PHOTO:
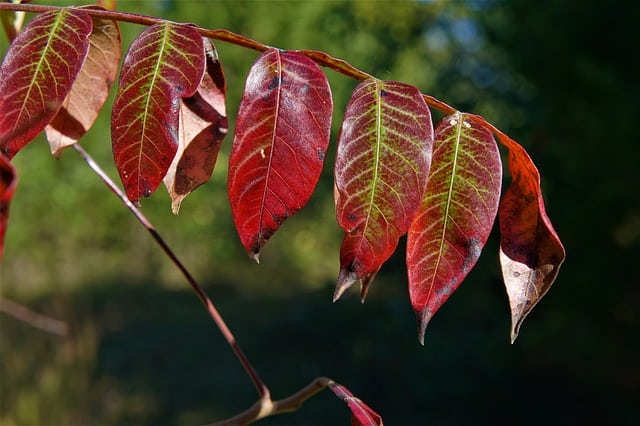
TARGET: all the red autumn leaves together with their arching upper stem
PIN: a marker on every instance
(397, 173)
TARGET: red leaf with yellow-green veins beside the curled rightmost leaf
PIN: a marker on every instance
(456, 216)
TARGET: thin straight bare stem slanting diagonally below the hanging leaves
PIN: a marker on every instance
(262, 389)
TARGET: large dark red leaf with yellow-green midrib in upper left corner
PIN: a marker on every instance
(37, 74)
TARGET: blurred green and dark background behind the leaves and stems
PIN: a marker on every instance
(560, 76)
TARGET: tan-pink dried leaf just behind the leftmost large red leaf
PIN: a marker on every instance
(90, 89)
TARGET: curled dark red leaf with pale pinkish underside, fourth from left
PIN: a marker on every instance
(203, 125)
